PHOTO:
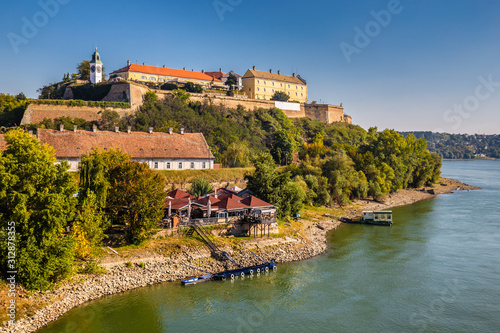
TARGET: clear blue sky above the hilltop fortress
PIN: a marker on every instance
(409, 65)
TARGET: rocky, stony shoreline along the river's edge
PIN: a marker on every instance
(310, 242)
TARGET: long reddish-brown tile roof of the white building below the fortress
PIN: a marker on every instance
(138, 144)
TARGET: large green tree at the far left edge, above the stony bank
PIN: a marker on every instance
(37, 194)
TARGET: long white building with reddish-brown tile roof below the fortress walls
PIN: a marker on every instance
(161, 151)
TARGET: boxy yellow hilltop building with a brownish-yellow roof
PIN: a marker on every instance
(263, 85)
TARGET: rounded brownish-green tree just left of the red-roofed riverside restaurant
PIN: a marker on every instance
(137, 197)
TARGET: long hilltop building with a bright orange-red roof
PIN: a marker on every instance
(143, 73)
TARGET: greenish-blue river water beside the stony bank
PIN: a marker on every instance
(437, 269)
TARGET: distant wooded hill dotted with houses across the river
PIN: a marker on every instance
(461, 146)
